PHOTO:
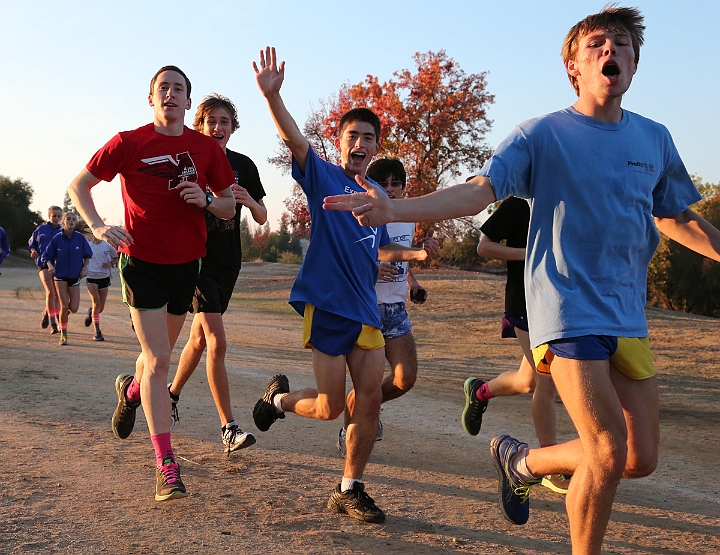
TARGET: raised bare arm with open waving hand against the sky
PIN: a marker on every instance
(269, 78)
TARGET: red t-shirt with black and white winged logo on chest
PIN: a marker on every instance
(165, 229)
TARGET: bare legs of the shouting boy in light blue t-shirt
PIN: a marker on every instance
(617, 421)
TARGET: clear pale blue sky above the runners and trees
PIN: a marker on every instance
(74, 73)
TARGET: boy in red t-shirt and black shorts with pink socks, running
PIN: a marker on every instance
(164, 169)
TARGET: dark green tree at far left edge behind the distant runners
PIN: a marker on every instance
(15, 215)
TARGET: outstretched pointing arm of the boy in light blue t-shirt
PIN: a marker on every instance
(375, 208)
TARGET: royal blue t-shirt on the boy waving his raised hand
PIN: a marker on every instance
(339, 272)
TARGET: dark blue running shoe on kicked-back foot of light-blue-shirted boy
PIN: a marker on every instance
(513, 492)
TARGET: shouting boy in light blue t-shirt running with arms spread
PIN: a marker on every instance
(602, 181)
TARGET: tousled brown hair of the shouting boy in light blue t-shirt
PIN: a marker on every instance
(610, 17)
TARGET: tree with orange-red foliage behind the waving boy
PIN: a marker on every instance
(434, 120)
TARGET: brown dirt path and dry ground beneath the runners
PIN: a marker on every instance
(68, 486)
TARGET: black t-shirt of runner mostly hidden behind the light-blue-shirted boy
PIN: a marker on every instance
(510, 222)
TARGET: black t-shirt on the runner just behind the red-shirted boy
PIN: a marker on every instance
(223, 242)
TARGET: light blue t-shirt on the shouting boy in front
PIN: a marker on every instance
(594, 188)
